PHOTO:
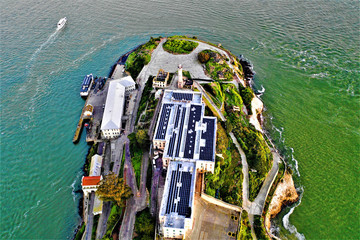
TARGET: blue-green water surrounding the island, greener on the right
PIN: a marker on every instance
(305, 53)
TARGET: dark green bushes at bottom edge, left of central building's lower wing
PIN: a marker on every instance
(144, 226)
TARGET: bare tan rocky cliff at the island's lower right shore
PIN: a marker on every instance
(285, 194)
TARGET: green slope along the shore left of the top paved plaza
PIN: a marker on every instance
(142, 56)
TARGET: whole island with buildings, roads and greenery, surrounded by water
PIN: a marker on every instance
(177, 148)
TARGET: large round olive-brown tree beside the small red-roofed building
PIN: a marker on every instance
(113, 188)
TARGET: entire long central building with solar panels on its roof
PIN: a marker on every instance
(187, 139)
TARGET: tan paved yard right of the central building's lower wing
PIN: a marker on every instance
(213, 222)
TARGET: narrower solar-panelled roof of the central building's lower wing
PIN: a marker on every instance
(178, 194)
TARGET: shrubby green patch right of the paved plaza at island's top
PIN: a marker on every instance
(216, 65)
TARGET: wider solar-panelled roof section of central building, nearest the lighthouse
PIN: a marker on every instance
(189, 135)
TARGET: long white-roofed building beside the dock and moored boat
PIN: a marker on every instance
(113, 112)
